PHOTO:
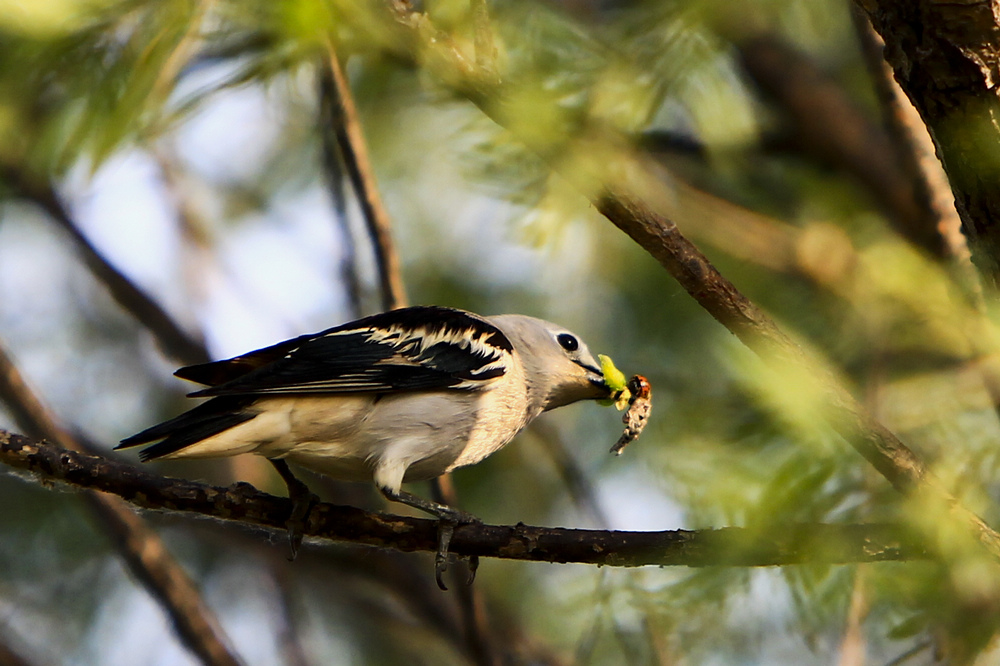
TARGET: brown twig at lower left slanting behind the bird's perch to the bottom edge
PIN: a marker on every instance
(140, 547)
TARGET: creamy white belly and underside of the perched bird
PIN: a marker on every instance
(389, 438)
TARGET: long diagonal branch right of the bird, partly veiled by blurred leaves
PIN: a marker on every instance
(624, 189)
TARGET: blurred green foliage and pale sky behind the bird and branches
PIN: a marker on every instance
(183, 139)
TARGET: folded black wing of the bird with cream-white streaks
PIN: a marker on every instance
(410, 349)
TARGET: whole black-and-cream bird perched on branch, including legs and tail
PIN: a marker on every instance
(400, 396)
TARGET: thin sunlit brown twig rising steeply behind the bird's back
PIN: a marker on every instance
(343, 118)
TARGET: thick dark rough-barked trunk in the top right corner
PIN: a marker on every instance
(945, 57)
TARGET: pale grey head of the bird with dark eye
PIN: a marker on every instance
(559, 369)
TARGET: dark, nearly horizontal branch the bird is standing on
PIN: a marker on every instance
(243, 504)
